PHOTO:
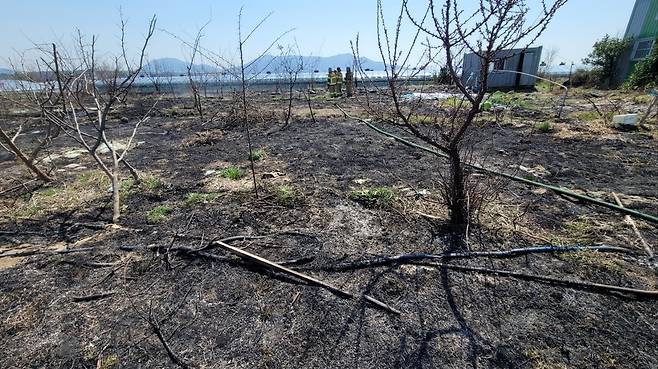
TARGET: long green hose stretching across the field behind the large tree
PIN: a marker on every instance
(648, 217)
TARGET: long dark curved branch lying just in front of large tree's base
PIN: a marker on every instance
(407, 258)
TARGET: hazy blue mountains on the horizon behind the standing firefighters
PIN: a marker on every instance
(267, 63)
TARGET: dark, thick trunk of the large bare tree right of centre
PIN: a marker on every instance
(457, 201)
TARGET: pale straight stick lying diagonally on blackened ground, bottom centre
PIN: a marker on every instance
(313, 281)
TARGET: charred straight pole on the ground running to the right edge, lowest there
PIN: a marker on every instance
(581, 285)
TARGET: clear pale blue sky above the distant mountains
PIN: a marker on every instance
(321, 27)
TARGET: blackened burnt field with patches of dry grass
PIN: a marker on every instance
(157, 290)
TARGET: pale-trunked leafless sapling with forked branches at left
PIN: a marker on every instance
(103, 88)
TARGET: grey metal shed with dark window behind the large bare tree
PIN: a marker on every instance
(514, 69)
